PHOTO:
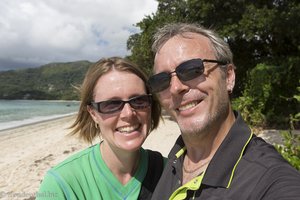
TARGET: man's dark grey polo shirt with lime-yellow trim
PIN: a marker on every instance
(243, 167)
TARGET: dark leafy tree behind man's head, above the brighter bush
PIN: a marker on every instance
(257, 31)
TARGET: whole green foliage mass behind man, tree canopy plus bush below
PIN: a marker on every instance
(258, 32)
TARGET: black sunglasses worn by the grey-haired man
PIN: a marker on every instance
(186, 71)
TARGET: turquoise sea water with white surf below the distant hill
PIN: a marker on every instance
(14, 113)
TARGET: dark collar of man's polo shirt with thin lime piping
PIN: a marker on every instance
(222, 166)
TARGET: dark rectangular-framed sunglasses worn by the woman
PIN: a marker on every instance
(114, 106)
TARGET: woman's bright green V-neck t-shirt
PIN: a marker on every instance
(86, 176)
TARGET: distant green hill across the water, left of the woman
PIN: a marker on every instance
(51, 81)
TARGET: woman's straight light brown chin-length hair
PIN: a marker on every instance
(84, 125)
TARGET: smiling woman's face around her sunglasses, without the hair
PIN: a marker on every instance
(127, 129)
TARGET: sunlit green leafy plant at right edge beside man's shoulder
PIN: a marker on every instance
(291, 147)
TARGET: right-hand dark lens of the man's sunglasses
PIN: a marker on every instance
(190, 70)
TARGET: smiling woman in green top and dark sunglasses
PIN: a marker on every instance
(115, 105)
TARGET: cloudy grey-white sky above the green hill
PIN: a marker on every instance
(37, 32)
